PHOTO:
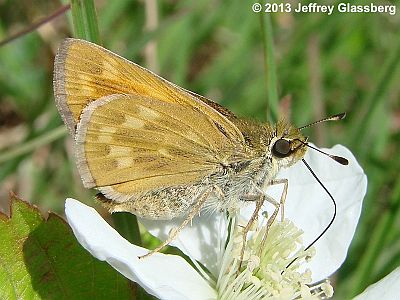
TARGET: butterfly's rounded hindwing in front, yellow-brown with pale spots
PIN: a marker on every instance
(134, 144)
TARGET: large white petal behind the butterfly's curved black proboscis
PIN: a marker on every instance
(311, 209)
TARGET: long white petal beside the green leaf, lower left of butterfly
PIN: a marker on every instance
(164, 276)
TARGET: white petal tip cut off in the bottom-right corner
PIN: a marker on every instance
(387, 288)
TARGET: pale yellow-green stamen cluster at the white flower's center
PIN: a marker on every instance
(273, 271)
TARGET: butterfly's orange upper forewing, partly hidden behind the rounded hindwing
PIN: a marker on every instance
(85, 72)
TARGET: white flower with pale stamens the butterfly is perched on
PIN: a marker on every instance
(307, 206)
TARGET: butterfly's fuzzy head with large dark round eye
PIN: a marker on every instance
(288, 144)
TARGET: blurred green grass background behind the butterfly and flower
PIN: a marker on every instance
(324, 65)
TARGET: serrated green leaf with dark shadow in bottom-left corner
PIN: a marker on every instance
(41, 259)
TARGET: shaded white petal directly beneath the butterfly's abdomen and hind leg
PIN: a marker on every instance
(200, 240)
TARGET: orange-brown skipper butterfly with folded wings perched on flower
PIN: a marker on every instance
(159, 151)
